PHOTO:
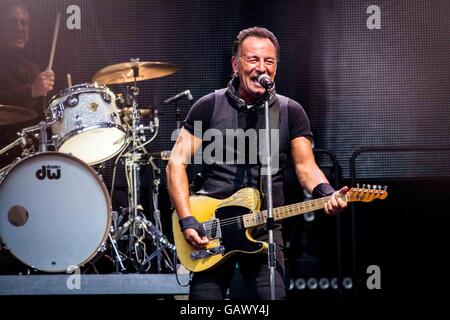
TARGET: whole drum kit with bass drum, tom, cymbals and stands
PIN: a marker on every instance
(55, 210)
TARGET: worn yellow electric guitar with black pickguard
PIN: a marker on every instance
(228, 223)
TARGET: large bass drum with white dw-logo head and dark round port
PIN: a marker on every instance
(55, 212)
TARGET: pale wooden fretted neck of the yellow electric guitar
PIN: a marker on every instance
(280, 213)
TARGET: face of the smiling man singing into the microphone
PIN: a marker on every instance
(257, 56)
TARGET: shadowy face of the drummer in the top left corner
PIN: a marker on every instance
(15, 33)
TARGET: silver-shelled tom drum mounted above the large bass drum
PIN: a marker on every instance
(86, 123)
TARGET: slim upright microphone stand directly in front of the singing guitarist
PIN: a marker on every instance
(270, 219)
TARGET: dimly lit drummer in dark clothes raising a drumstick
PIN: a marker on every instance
(21, 82)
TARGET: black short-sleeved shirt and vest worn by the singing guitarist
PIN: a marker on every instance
(220, 123)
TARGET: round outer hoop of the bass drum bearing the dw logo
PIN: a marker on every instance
(105, 194)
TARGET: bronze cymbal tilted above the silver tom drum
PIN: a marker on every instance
(123, 72)
